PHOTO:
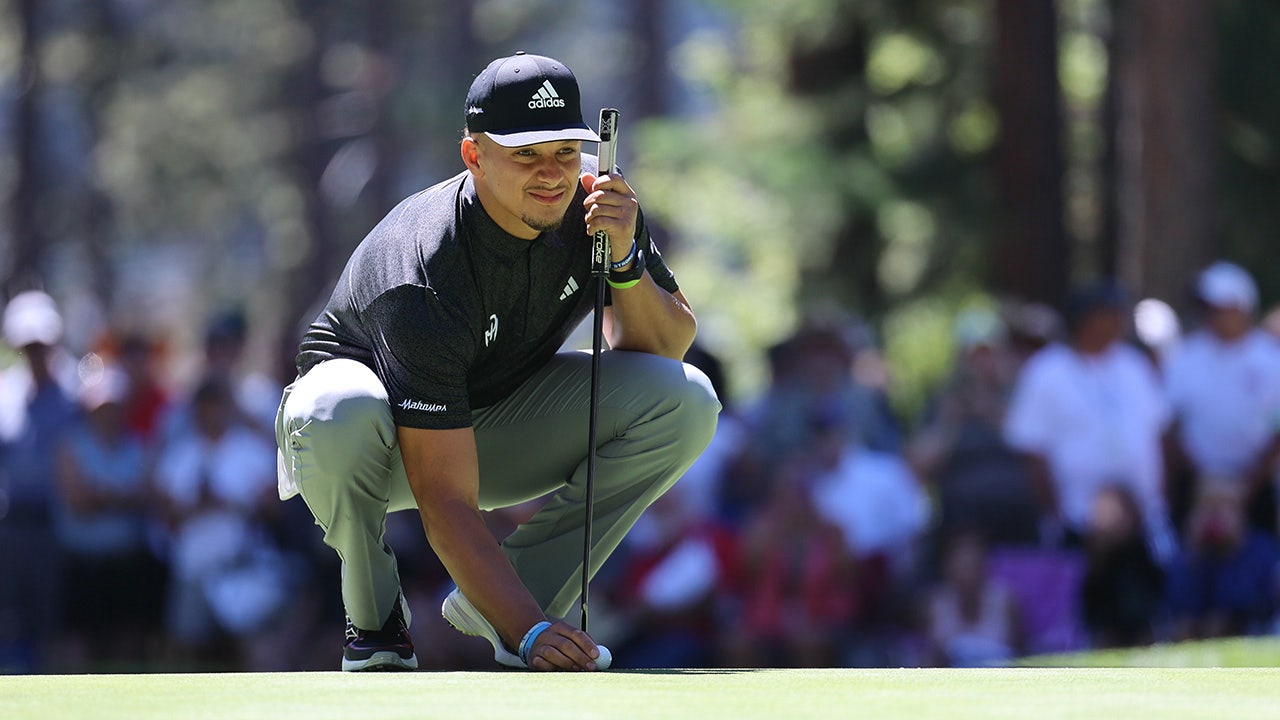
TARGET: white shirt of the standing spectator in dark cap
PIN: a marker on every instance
(1096, 421)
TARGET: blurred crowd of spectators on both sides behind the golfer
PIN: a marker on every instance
(1090, 477)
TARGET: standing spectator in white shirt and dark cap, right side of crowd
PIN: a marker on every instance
(1089, 414)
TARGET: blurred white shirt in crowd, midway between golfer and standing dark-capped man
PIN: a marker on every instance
(875, 499)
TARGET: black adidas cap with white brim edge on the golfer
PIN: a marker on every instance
(525, 99)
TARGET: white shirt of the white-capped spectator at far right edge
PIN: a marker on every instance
(1227, 397)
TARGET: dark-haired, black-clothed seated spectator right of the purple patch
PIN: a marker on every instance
(1122, 598)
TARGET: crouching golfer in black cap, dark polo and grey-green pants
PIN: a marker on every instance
(435, 380)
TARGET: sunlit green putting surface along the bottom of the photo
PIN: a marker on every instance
(1098, 687)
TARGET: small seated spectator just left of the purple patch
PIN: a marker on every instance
(972, 619)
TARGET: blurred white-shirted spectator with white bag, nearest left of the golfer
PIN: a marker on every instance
(228, 578)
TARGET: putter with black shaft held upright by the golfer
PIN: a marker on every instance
(601, 272)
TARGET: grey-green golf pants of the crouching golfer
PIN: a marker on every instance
(339, 448)
